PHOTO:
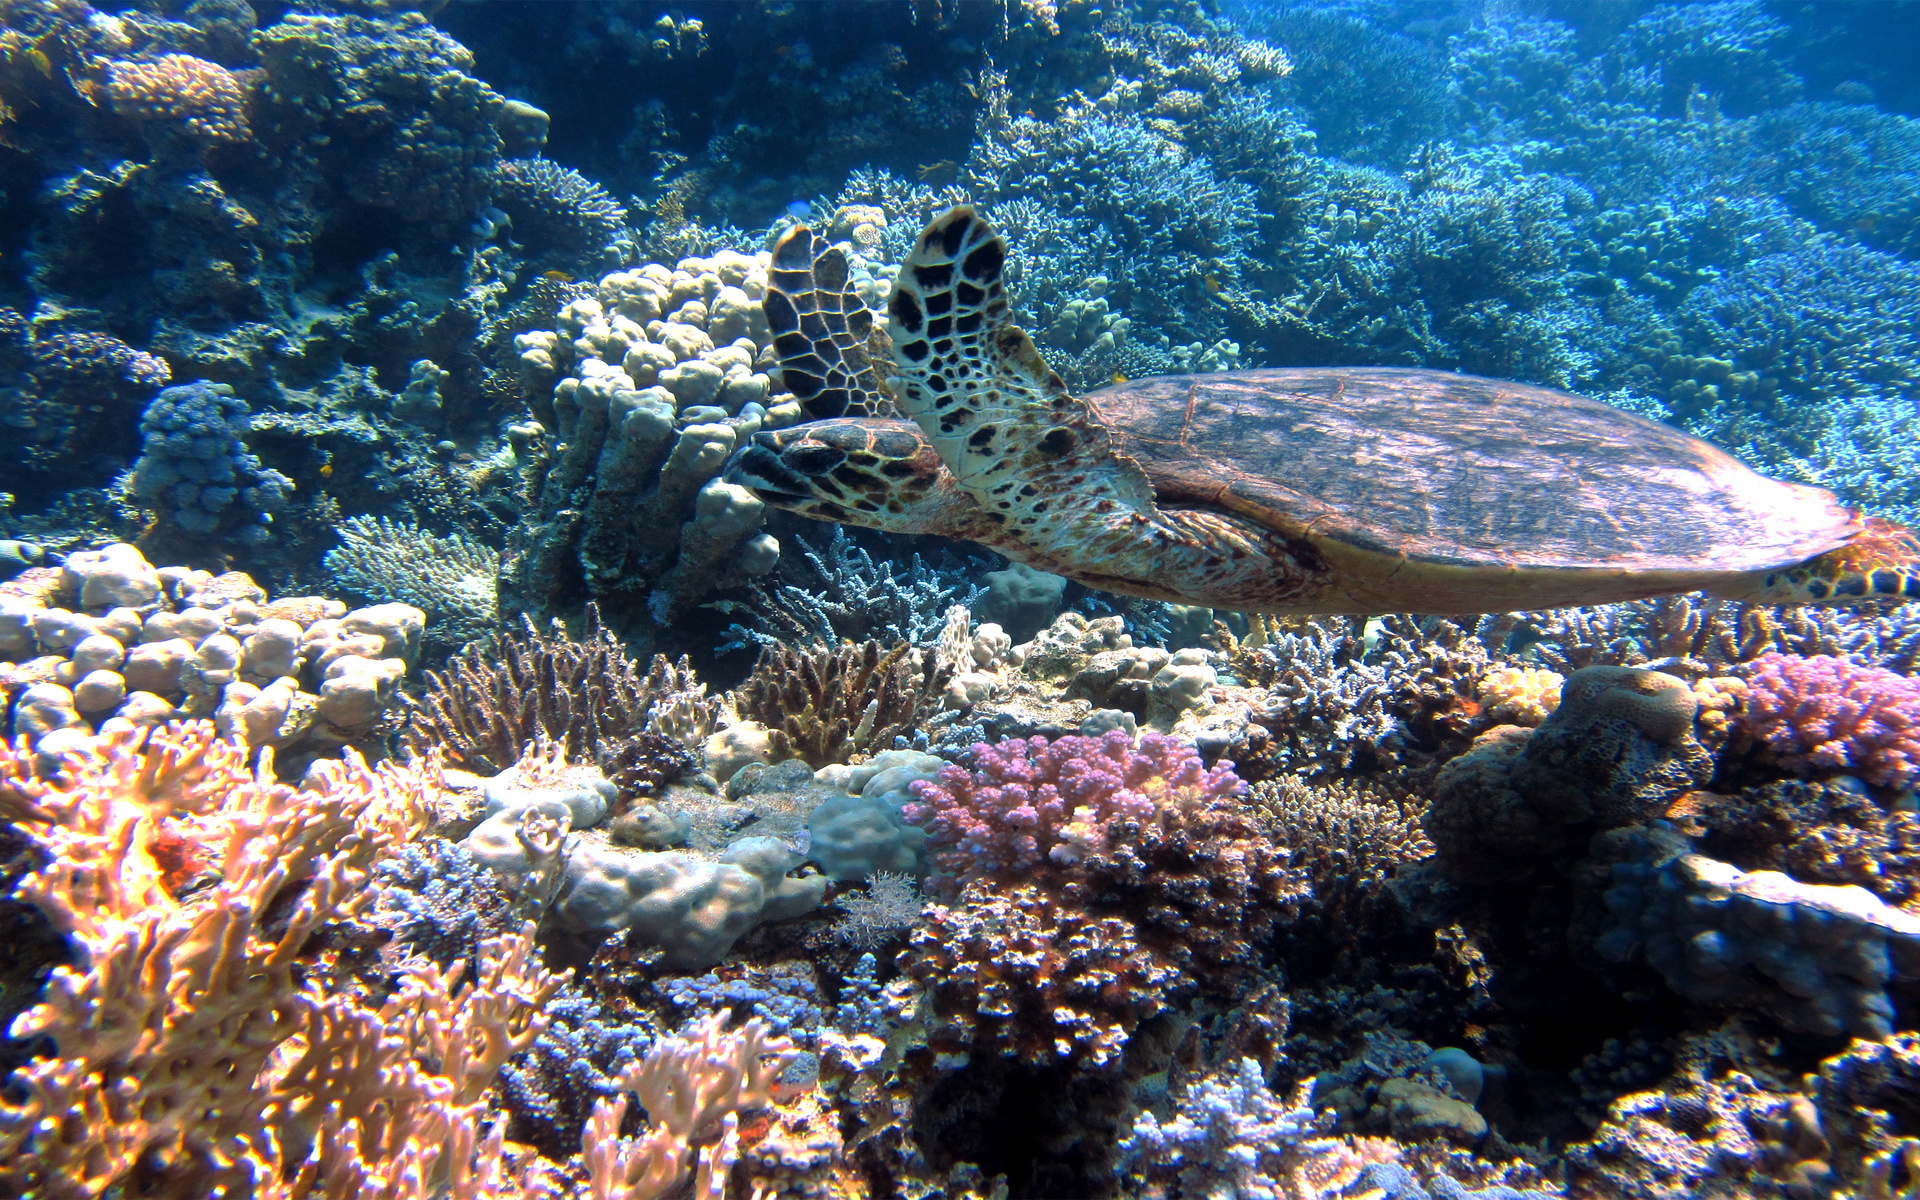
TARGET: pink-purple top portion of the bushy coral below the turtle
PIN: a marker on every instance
(1030, 802)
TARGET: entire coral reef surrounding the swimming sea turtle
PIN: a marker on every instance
(379, 821)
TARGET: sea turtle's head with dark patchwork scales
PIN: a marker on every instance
(880, 475)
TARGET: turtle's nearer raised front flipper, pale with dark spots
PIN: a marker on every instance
(1038, 460)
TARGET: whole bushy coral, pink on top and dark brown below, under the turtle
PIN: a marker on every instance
(1093, 878)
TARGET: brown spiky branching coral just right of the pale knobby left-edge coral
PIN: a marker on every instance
(588, 696)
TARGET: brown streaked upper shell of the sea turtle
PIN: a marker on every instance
(1462, 471)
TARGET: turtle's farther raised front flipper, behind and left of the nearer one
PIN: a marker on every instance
(823, 331)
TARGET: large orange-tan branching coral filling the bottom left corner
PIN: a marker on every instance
(114, 836)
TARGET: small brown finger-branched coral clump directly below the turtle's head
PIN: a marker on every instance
(827, 706)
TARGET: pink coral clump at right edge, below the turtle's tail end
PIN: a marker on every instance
(1827, 713)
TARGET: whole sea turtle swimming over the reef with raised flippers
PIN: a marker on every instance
(1303, 491)
